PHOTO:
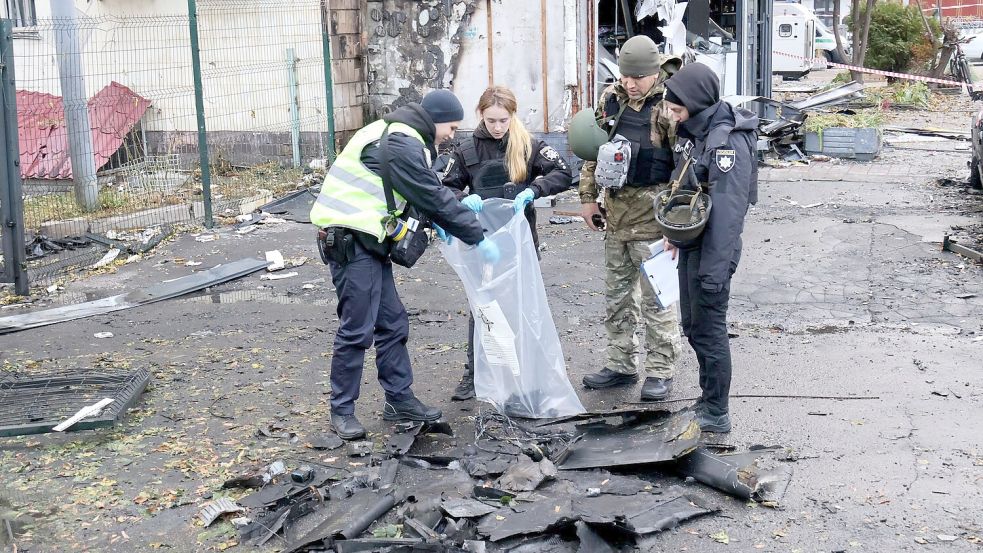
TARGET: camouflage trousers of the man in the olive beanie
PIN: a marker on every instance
(630, 300)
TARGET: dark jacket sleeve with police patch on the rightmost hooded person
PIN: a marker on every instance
(730, 192)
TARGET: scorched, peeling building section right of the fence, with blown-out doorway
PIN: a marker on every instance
(557, 56)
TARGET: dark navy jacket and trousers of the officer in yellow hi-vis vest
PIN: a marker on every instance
(369, 308)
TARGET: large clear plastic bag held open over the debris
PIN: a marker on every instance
(519, 364)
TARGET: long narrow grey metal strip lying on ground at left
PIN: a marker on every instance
(158, 292)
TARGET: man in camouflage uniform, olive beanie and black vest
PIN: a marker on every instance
(634, 109)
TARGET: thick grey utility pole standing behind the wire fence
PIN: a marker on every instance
(71, 74)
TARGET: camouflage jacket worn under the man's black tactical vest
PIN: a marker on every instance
(629, 211)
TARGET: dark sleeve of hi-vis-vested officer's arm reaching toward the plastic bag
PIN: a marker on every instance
(413, 179)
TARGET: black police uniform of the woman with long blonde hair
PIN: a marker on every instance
(478, 167)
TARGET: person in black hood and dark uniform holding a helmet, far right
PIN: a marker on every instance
(722, 143)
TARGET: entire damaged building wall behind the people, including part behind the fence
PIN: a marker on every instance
(556, 55)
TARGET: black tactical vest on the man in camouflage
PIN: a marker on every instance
(649, 166)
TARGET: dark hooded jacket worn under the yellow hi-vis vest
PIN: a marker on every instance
(412, 178)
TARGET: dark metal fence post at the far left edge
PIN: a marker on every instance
(11, 199)
